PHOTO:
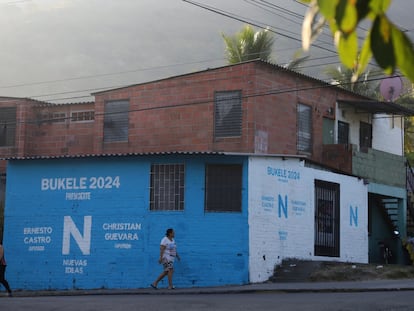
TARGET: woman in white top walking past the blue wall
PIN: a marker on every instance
(168, 253)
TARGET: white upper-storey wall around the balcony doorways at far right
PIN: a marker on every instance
(387, 130)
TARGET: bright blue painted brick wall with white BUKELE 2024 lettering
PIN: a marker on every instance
(96, 229)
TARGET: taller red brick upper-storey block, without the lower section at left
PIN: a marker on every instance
(178, 113)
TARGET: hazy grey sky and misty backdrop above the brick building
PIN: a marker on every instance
(66, 49)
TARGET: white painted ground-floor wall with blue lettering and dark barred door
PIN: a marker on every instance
(273, 236)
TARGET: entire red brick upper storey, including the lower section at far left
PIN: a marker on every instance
(177, 114)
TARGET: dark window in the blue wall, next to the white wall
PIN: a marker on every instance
(223, 188)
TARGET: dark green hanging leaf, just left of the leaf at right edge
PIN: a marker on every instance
(382, 45)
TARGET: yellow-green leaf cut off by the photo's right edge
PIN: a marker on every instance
(404, 52)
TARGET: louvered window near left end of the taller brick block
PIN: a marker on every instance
(116, 121)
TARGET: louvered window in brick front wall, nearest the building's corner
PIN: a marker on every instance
(227, 114)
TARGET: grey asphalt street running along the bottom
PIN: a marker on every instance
(382, 301)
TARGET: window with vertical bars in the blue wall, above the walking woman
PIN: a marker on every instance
(167, 187)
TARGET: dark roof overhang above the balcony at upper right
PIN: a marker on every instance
(376, 107)
